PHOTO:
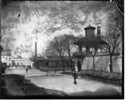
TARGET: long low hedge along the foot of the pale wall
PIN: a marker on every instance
(114, 78)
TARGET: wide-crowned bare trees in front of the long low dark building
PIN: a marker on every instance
(63, 46)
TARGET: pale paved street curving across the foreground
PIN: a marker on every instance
(61, 82)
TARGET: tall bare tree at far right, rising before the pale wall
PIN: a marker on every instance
(113, 38)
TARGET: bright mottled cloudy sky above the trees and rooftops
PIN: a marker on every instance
(41, 16)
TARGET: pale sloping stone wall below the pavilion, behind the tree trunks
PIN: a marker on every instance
(102, 63)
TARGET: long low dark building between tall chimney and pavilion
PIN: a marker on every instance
(52, 62)
